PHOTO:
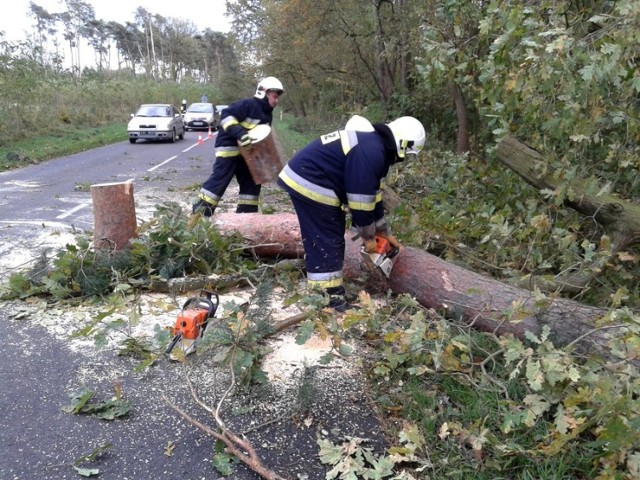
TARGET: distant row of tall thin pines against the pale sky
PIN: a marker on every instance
(161, 47)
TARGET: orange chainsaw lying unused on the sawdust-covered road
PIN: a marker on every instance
(191, 324)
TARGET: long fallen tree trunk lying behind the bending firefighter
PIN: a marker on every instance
(483, 302)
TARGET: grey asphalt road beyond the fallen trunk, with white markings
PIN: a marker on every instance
(56, 193)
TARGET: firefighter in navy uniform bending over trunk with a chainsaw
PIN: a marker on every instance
(345, 168)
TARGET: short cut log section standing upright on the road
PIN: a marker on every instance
(114, 214)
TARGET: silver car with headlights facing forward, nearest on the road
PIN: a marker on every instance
(156, 121)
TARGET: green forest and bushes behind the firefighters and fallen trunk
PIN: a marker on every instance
(559, 76)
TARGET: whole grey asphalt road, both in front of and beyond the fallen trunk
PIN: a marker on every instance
(41, 365)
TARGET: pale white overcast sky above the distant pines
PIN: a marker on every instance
(15, 20)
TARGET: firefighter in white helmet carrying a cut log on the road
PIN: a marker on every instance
(235, 122)
